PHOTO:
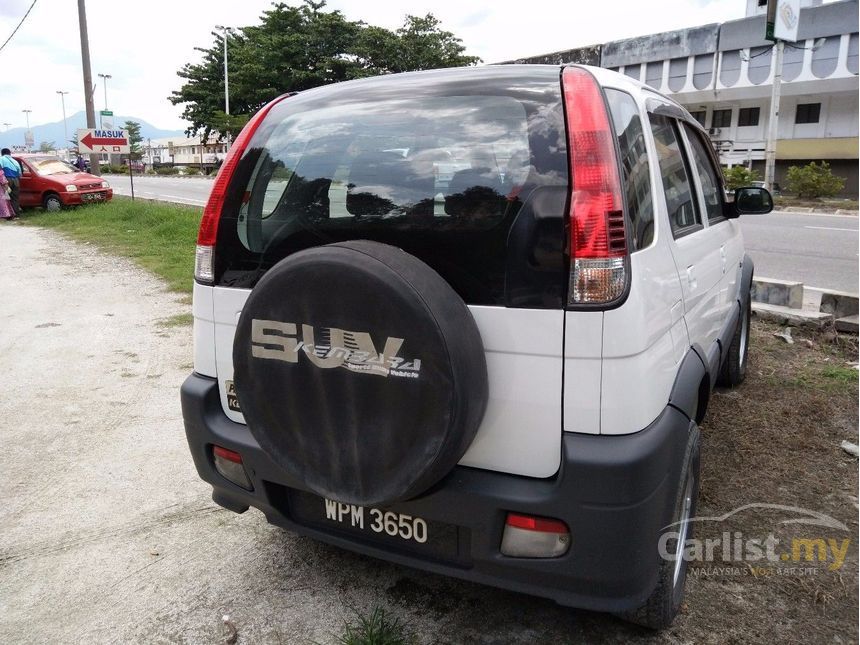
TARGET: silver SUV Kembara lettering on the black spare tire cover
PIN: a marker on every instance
(353, 350)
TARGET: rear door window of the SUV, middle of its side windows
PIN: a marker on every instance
(683, 209)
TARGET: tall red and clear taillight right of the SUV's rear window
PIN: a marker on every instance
(598, 239)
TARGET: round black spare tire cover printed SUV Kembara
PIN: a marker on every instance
(360, 372)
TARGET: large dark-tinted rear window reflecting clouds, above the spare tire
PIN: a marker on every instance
(440, 164)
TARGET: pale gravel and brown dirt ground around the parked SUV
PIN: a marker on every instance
(107, 534)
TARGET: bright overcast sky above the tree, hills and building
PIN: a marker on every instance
(143, 44)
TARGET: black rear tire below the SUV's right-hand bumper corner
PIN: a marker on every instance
(661, 607)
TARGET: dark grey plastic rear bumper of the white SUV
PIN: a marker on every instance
(615, 493)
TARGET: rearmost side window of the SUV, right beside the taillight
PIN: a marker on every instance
(635, 169)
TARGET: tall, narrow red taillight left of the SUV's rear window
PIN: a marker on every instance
(208, 233)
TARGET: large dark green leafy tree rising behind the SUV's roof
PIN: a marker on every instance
(298, 48)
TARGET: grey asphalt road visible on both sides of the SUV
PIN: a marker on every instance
(818, 250)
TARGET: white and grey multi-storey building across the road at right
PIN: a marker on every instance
(723, 74)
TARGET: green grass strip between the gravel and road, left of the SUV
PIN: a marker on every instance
(159, 237)
